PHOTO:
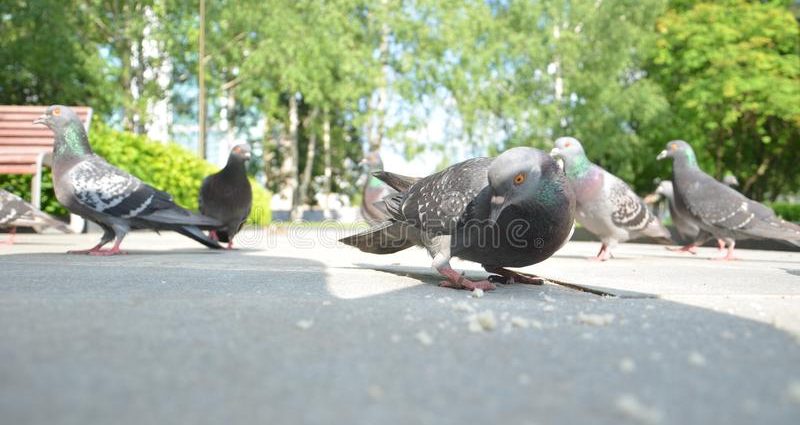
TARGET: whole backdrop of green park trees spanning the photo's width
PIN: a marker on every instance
(623, 76)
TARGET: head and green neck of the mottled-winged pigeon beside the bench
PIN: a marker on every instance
(71, 139)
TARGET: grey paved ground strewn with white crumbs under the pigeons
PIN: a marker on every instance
(294, 328)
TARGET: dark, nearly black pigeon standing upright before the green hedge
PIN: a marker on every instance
(227, 195)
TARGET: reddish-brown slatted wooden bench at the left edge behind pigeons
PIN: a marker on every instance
(26, 148)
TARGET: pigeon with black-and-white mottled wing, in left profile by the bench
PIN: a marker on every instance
(92, 188)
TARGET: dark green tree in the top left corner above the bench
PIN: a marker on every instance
(29, 40)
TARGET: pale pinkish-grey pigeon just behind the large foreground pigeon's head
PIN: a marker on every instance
(606, 206)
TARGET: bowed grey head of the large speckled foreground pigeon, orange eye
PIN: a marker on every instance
(518, 177)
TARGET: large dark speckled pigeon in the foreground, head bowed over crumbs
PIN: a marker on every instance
(510, 211)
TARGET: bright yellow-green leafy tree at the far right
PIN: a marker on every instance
(731, 72)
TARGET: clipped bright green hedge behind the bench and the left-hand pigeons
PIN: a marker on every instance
(167, 167)
